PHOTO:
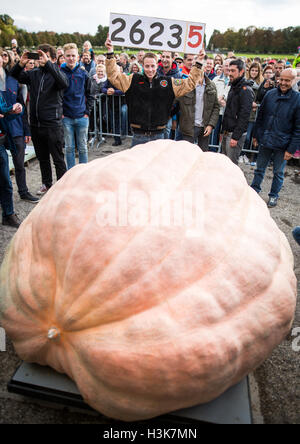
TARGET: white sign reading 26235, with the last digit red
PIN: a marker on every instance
(156, 34)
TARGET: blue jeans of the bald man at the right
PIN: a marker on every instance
(263, 159)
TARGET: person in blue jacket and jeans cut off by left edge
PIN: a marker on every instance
(7, 112)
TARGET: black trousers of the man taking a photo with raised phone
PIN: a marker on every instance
(49, 141)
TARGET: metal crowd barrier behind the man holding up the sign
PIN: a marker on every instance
(110, 118)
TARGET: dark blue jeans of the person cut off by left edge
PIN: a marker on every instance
(6, 189)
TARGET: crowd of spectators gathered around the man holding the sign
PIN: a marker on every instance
(51, 100)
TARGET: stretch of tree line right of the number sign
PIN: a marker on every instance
(257, 40)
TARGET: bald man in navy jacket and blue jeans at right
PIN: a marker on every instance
(277, 132)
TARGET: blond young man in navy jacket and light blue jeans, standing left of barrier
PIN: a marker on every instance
(77, 104)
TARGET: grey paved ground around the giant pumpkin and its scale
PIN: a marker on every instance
(274, 386)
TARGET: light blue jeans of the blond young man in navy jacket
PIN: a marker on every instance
(78, 127)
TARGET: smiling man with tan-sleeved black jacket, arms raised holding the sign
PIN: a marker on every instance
(149, 96)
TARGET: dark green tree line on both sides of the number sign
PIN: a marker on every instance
(251, 39)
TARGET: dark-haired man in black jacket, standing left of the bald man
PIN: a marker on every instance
(237, 111)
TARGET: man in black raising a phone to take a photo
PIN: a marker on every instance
(47, 84)
